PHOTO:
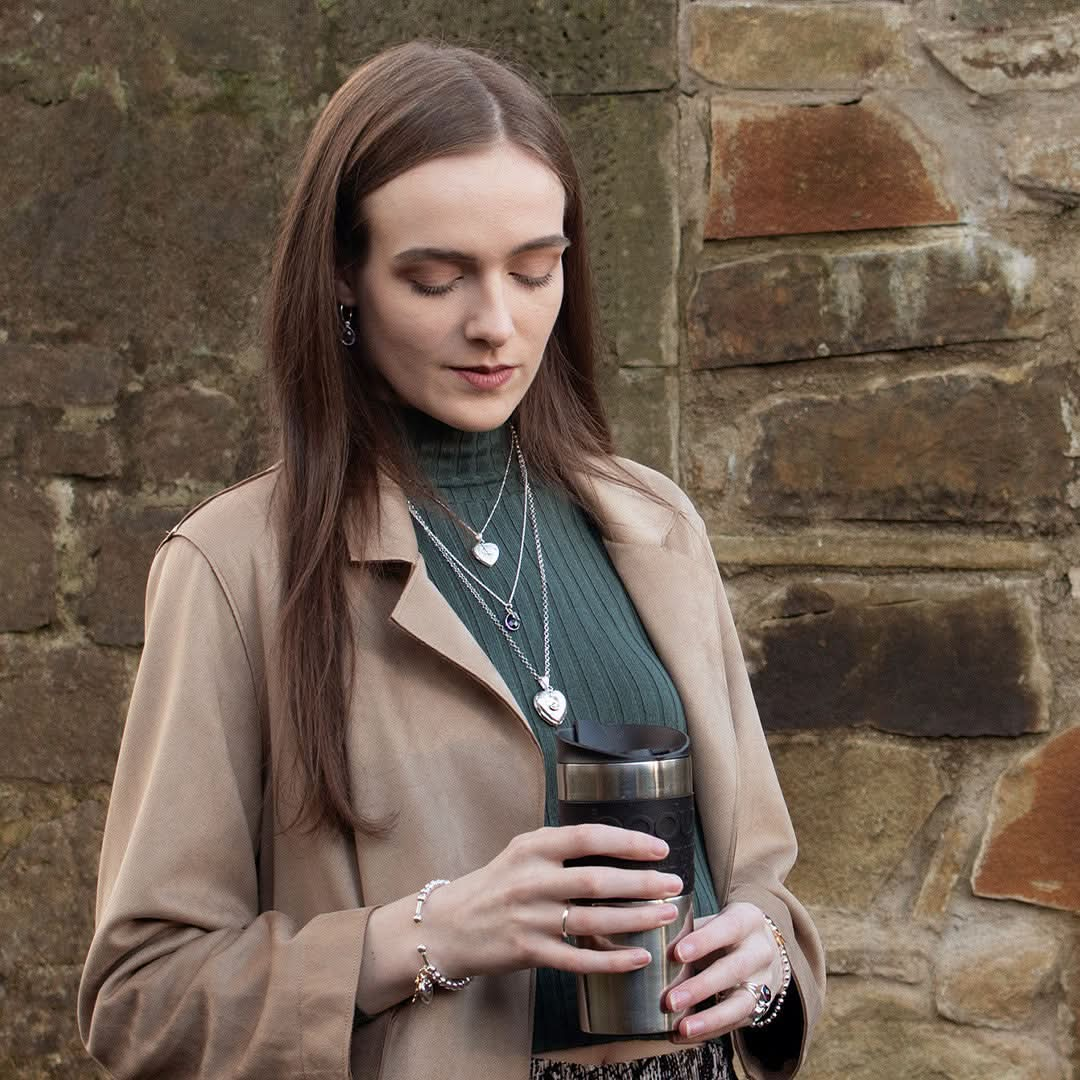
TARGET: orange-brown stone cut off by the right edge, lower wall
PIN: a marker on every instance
(1031, 845)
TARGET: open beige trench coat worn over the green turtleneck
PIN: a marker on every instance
(224, 951)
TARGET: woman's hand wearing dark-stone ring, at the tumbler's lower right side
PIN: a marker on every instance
(725, 950)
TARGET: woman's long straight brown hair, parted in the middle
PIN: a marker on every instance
(403, 107)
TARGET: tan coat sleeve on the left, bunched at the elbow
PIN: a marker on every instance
(186, 977)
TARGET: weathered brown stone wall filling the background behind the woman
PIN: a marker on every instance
(839, 250)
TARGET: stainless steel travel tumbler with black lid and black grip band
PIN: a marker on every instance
(641, 778)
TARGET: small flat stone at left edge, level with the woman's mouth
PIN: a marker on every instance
(58, 376)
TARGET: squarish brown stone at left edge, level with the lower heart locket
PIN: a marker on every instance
(62, 711)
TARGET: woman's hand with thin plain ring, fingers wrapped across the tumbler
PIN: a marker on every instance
(508, 915)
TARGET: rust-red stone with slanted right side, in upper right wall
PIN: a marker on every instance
(786, 169)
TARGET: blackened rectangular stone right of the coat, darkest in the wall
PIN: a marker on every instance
(908, 658)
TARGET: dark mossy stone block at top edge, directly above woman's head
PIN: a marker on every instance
(590, 47)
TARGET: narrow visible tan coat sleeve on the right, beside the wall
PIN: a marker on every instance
(765, 853)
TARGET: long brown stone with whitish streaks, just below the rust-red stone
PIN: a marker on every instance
(816, 304)
